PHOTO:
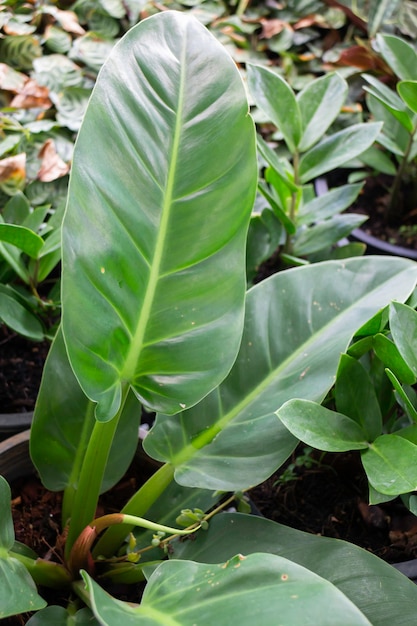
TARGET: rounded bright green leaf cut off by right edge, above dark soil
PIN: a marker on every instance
(391, 465)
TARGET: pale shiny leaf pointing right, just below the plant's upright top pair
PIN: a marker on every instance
(337, 149)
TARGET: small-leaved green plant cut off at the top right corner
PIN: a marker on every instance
(397, 110)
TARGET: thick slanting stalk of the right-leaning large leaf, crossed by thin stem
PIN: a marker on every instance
(138, 505)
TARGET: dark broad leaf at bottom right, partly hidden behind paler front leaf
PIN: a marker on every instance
(384, 595)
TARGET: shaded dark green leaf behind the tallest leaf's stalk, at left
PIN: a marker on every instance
(63, 422)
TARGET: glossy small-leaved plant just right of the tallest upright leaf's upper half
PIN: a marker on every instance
(306, 227)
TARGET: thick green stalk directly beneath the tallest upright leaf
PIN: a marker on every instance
(85, 499)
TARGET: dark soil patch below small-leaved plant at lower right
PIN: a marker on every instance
(330, 498)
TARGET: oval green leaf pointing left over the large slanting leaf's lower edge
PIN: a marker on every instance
(321, 428)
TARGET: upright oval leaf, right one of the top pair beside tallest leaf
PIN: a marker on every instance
(320, 103)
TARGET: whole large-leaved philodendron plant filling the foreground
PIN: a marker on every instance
(155, 314)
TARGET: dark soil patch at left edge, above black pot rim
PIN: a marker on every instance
(21, 364)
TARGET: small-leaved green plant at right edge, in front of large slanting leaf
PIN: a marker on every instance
(375, 405)
